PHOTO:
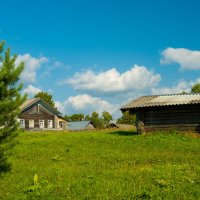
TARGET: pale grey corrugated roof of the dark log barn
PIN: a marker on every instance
(163, 100)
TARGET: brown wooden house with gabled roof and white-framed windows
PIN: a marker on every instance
(37, 114)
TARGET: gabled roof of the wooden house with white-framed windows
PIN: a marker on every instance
(30, 102)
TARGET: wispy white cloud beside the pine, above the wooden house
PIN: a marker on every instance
(31, 66)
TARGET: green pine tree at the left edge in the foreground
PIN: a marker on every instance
(10, 100)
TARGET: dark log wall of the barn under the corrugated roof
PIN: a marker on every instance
(180, 117)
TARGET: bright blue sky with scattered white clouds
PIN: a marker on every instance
(97, 55)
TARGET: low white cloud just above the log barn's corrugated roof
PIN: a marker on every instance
(178, 88)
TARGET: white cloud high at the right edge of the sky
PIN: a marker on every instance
(187, 59)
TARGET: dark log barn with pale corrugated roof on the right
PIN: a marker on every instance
(162, 112)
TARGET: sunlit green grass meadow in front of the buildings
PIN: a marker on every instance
(103, 165)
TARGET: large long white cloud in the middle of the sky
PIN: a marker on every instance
(137, 78)
